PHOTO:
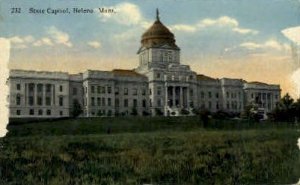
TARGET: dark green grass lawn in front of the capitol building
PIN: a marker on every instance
(139, 150)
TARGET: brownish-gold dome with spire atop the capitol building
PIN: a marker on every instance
(158, 34)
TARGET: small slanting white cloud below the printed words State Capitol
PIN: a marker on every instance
(59, 37)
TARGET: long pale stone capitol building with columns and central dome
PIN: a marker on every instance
(160, 85)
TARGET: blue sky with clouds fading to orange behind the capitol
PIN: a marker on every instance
(212, 35)
